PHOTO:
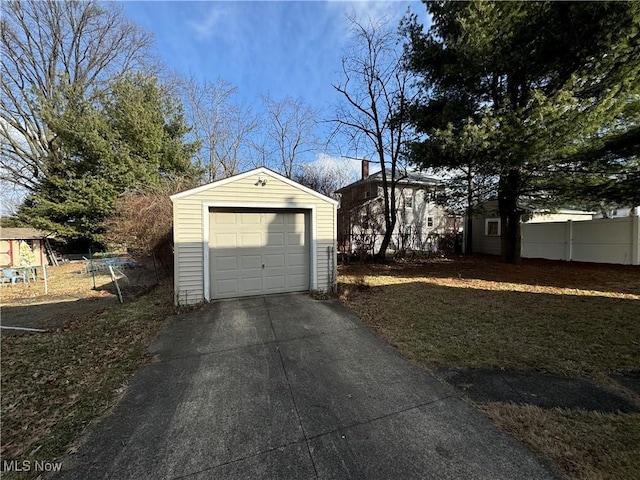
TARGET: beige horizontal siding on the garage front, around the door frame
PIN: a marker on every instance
(189, 211)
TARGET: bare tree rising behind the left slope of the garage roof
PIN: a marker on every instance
(221, 126)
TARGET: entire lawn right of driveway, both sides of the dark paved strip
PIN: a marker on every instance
(564, 318)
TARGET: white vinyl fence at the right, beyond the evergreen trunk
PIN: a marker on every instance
(607, 240)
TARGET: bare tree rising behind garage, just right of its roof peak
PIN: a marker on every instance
(289, 132)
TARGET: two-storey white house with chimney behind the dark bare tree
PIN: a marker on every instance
(420, 221)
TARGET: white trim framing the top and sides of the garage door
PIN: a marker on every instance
(206, 208)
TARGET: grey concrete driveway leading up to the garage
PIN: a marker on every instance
(286, 387)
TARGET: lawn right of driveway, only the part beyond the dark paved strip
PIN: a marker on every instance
(436, 315)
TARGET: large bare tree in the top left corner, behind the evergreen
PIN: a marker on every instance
(46, 45)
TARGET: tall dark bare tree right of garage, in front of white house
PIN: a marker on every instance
(375, 91)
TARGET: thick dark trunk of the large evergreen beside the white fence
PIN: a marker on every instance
(510, 217)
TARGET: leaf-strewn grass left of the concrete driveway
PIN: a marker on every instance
(55, 384)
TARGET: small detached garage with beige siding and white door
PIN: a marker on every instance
(255, 233)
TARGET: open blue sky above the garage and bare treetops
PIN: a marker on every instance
(275, 48)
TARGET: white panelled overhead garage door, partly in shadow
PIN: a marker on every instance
(258, 252)
